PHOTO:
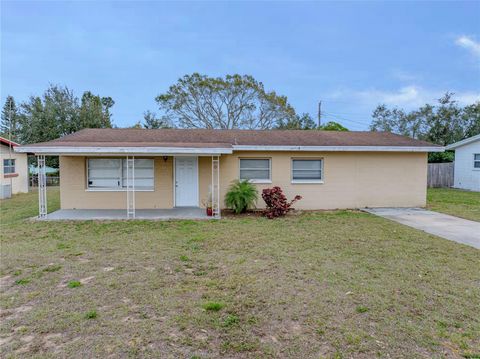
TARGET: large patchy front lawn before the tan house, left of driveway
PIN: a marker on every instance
(332, 284)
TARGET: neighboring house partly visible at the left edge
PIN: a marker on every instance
(13, 169)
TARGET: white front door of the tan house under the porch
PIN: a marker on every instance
(186, 181)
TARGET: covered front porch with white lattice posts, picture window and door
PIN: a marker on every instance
(127, 187)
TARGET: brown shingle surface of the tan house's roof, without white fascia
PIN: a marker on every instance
(203, 138)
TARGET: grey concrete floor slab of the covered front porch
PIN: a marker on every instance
(121, 214)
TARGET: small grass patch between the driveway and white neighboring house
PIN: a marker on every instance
(465, 204)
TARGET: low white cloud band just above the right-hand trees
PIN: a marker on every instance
(407, 97)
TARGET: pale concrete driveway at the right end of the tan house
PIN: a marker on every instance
(443, 225)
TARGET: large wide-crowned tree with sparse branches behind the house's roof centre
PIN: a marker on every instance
(199, 101)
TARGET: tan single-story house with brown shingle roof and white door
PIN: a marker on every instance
(134, 169)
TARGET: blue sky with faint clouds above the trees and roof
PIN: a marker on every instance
(350, 55)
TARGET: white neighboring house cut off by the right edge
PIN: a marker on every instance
(467, 163)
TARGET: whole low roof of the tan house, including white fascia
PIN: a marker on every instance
(225, 141)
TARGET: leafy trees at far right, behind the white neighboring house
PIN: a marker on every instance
(443, 123)
